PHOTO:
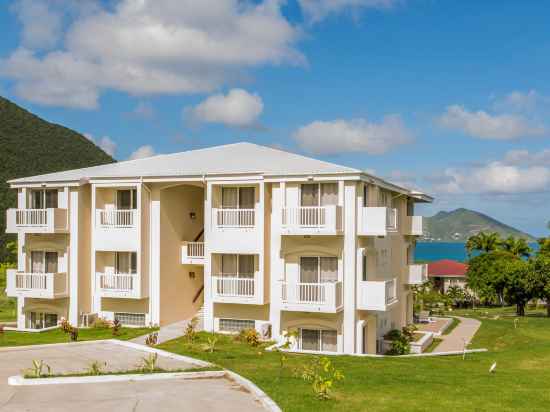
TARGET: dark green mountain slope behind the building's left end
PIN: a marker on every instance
(31, 146)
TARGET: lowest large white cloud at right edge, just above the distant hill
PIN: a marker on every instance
(495, 178)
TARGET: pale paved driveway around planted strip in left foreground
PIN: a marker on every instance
(158, 395)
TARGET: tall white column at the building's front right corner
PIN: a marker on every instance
(350, 267)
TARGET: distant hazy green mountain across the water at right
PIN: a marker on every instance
(458, 225)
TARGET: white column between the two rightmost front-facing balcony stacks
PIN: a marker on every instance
(277, 263)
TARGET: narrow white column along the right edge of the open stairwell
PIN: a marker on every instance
(208, 310)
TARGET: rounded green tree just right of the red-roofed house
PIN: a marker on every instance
(486, 275)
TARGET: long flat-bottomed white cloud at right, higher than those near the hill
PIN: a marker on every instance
(483, 125)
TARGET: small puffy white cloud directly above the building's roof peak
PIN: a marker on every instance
(238, 109)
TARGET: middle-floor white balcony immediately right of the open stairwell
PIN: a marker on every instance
(234, 289)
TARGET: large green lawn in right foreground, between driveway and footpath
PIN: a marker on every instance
(410, 384)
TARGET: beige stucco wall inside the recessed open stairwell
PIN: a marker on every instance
(177, 287)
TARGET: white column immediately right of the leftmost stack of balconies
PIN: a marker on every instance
(74, 207)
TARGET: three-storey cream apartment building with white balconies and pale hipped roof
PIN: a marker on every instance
(241, 235)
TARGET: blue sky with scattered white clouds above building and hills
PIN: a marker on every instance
(450, 97)
